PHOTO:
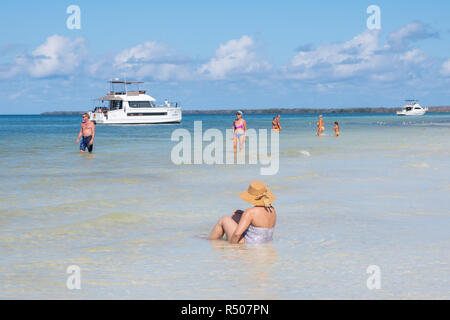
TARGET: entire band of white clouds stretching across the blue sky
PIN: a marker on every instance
(363, 58)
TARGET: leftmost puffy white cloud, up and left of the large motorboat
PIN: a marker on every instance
(58, 55)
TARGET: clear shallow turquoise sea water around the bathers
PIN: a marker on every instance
(133, 221)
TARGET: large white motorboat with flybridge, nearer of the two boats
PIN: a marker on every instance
(127, 104)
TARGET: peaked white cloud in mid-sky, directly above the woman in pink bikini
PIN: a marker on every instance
(234, 57)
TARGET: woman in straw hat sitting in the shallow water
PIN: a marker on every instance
(256, 224)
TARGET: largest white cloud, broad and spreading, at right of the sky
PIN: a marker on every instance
(363, 58)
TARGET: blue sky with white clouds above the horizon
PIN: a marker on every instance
(225, 55)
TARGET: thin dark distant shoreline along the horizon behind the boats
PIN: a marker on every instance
(280, 110)
